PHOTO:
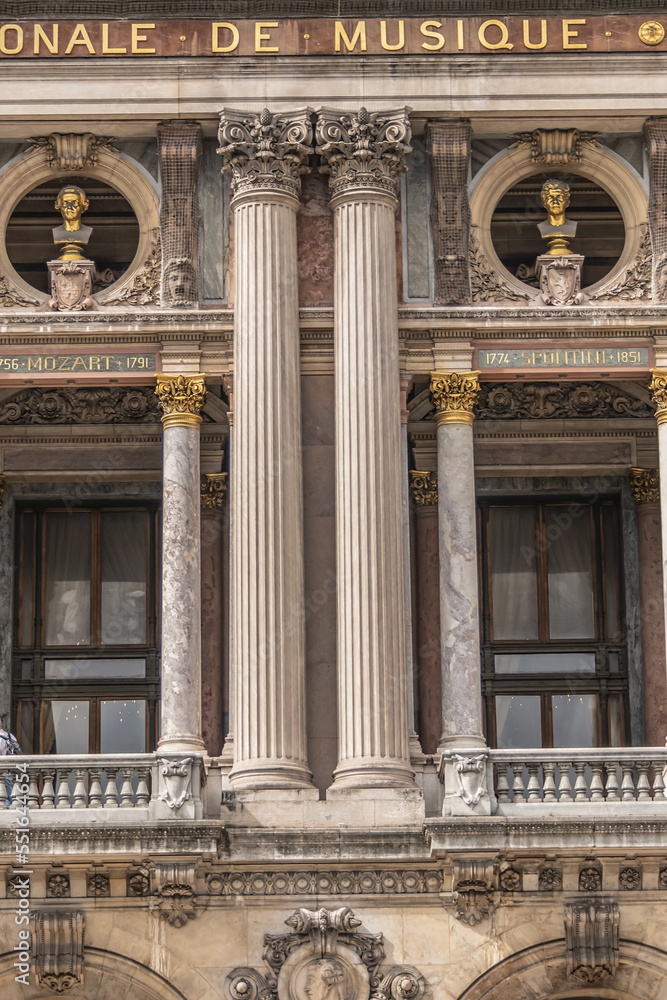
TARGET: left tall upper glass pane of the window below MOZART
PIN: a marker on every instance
(67, 605)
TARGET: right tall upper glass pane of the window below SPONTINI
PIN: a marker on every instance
(570, 564)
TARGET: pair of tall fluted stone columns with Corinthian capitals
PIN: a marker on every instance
(265, 155)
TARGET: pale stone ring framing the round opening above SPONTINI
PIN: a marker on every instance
(621, 182)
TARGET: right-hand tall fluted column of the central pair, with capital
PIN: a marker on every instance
(363, 153)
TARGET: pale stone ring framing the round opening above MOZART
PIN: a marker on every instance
(26, 172)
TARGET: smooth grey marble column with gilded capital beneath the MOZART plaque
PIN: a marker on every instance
(181, 398)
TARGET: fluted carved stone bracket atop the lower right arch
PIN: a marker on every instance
(591, 936)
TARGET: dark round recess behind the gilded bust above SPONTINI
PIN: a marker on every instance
(600, 231)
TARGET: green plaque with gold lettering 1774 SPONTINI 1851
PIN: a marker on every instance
(563, 359)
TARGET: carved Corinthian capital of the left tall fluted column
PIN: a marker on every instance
(265, 150)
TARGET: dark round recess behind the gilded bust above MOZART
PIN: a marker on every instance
(112, 245)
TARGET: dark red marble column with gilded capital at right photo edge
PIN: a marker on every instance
(645, 486)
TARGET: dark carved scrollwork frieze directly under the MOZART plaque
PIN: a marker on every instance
(99, 405)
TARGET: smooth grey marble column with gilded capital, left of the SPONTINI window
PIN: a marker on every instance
(454, 395)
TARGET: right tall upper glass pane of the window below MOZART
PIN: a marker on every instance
(124, 564)
